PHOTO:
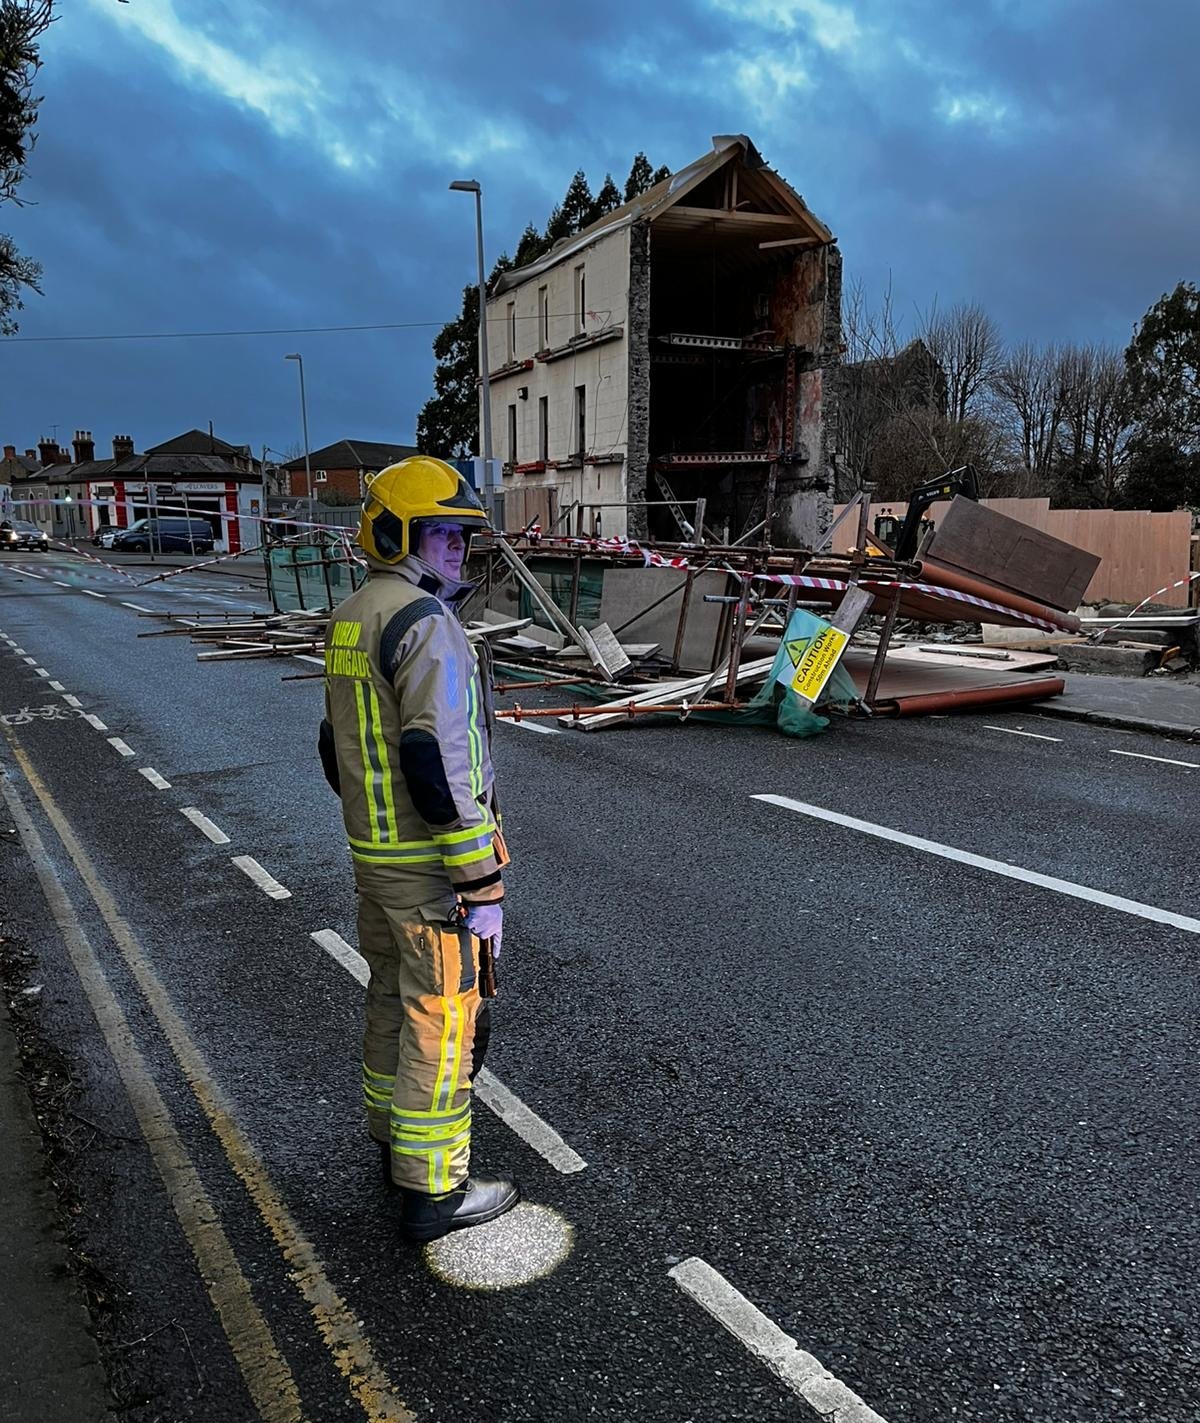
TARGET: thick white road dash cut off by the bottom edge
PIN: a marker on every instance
(806, 1377)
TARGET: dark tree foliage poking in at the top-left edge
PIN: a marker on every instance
(22, 26)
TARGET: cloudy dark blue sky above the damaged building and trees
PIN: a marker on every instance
(234, 166)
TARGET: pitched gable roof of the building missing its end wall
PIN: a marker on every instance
(657, 201)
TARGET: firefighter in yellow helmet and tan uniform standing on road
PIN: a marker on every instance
(406, 746)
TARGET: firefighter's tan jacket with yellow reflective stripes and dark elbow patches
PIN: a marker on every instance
(406, 701)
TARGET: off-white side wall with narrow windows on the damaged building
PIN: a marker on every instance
(601, 369)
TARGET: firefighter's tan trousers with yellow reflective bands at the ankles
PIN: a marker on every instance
(425, 1041)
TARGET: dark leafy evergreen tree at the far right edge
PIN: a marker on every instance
(1164, 365)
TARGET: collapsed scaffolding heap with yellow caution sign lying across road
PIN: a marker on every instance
(634, 631)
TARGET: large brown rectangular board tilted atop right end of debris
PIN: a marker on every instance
(1013, 556)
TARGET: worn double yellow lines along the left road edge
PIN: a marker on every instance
(267, 1374)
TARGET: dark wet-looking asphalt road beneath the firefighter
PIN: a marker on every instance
(930, 1115)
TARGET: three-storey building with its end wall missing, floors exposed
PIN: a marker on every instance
(674, 351)
